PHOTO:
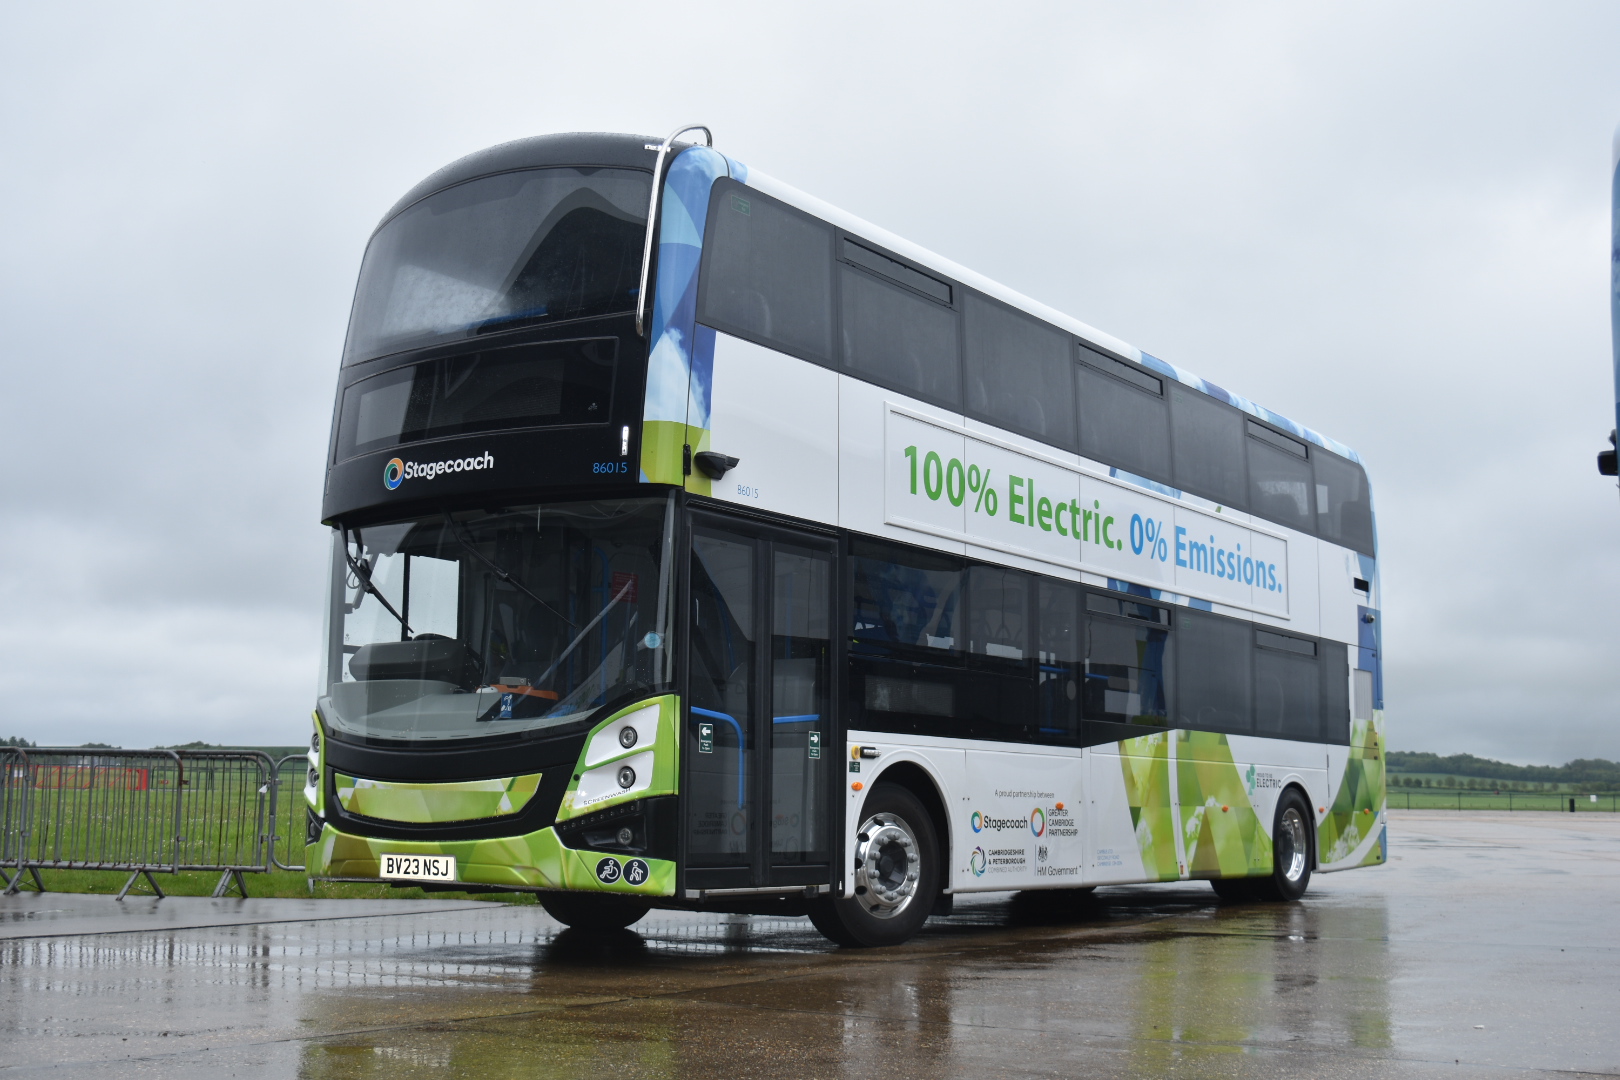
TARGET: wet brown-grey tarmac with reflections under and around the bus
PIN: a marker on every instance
(1488, 946)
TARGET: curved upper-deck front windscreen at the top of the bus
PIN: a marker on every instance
(540, 245)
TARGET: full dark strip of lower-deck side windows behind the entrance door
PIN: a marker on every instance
(957, 648)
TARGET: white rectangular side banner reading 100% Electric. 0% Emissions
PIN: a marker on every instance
(955, 485)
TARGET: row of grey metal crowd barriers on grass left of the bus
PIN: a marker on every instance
(145, 812)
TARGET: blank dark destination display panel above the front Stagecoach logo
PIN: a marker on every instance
(526, 386)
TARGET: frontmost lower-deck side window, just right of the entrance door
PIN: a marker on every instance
(906, 603)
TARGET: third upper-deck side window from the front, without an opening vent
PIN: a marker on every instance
(1018, 372)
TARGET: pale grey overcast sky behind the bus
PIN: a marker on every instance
(1386, 221)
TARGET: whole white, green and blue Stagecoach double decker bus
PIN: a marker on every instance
(697, 545)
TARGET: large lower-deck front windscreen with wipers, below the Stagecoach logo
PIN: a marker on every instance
(472, 624)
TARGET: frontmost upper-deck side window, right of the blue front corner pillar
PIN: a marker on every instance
(769, 274)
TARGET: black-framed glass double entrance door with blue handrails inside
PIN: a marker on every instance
(759, 723)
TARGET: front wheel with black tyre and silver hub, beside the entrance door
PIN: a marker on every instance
(897, 875)
